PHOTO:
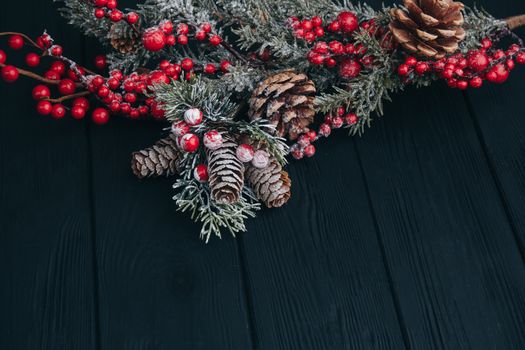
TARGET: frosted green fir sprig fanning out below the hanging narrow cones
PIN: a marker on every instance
(195, 197)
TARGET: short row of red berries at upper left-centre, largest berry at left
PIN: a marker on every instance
(165, 34)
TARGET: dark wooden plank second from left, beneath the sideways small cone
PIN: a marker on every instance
(161, 287)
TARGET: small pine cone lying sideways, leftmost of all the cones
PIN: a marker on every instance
(163, 158)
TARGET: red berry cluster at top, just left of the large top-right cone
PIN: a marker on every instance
(340, 50)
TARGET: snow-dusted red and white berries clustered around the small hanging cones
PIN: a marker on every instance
(189, 141)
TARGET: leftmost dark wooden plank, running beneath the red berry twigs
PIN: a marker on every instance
(47, 293)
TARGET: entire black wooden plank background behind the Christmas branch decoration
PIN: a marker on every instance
(411, 237)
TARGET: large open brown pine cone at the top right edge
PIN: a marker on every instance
(429, 28)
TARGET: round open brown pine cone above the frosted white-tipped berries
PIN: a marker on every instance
(286, 100)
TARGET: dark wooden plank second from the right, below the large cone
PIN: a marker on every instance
(455, 265)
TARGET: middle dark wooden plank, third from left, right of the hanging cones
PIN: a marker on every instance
(316, 275)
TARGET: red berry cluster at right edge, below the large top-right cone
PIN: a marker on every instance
(467, 70)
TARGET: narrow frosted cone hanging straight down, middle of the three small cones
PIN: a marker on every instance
(226, 172)
